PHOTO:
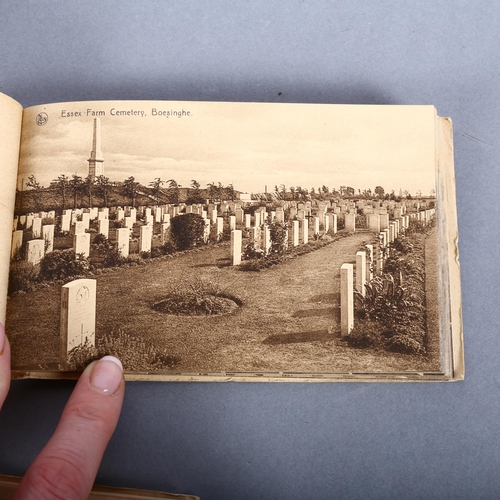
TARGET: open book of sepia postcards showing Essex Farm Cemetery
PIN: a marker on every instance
(230, 241)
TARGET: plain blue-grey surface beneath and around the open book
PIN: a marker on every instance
(288, 441)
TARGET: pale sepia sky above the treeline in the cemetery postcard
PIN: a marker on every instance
(249, 145)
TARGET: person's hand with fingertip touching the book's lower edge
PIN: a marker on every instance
(67, 466)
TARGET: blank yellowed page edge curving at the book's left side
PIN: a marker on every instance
(11, 113)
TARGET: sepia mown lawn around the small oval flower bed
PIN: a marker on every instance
(289, 319)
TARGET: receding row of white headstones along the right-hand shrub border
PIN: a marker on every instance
(366, 263)
